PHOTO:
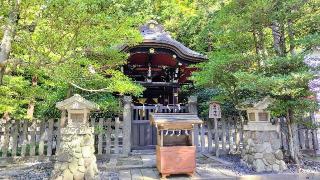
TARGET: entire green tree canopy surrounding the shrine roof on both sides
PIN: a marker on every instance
(52, 49)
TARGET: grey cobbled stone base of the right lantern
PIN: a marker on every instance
(262, 151)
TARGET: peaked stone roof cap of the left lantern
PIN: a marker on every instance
(76, 102)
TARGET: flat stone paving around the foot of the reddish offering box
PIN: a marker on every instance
(144, 167)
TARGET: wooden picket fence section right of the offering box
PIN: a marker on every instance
(229, 138)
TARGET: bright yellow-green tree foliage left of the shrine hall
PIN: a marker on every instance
(67, 47)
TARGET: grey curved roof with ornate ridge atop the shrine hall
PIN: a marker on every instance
(154, 36)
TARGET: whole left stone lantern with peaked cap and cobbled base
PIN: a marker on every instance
(75, 155)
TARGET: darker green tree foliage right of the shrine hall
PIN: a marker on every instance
(244, 64)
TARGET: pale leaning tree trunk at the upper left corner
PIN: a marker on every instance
(8, 35)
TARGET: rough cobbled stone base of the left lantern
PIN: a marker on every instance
(75, 157)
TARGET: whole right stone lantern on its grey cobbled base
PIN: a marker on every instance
(262, 139)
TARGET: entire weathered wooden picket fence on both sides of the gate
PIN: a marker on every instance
(20, 139)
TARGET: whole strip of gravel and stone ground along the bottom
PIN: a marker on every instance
(142, 167)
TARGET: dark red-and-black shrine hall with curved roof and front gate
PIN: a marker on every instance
(163, 66)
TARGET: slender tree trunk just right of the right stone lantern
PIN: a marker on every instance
(293, 146)
